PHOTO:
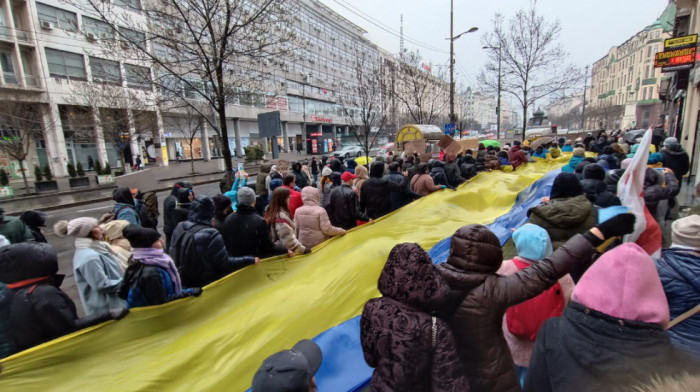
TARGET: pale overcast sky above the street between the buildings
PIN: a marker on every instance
(589, 27)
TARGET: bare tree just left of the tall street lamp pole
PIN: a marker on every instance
(416, 91)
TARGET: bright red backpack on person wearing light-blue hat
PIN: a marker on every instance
(525, 320)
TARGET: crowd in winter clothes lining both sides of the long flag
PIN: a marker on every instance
(572, 310)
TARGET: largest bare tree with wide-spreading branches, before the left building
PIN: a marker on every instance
(207, 50)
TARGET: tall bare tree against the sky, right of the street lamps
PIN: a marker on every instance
(532, 61)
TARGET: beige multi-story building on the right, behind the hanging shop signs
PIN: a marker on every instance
(625, 84)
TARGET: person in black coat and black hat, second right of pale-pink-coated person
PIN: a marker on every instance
(375, 196)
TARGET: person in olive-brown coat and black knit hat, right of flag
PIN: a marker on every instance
(566, 212)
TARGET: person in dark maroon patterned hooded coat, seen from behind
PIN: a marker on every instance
(410, 349)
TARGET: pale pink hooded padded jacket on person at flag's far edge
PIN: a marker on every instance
(311, 220)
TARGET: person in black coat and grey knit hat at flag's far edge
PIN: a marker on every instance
(246, 233)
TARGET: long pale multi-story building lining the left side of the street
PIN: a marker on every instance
(96, 103)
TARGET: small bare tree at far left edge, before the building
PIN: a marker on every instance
(21, 124)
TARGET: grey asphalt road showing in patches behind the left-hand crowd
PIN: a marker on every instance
(64, 245)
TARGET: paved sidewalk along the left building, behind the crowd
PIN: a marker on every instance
(151, 178)
